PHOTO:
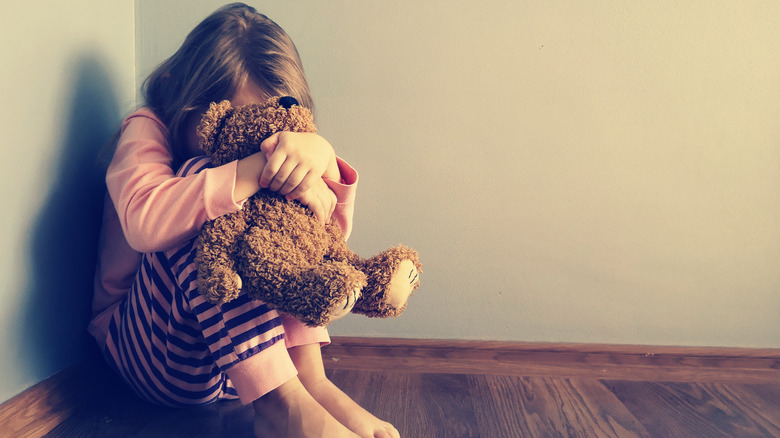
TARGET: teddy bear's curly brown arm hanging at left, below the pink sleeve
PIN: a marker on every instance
(218, 280)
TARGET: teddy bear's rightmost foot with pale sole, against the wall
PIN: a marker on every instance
(392, 277)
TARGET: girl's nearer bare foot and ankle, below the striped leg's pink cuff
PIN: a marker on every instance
(290, 411)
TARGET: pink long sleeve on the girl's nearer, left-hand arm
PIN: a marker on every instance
(157, 210)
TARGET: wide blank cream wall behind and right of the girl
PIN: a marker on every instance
(571, 171)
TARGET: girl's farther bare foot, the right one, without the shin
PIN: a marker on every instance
(349, 413)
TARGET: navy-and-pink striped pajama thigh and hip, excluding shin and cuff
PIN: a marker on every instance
(156, 345)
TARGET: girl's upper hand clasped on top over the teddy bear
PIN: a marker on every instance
(296, 161)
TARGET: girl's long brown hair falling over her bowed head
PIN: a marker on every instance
(231, 46)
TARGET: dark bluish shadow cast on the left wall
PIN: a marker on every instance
(64, 238)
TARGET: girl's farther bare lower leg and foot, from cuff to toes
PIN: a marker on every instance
(311, 372)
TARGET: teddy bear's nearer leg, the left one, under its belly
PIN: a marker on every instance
(275, 271)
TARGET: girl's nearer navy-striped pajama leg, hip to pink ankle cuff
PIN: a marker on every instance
(175, 348)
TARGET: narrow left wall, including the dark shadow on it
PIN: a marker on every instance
(66, 78)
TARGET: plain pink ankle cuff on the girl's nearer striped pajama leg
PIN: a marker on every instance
(261, 373)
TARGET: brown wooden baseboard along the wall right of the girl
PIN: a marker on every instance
(601, 361)
